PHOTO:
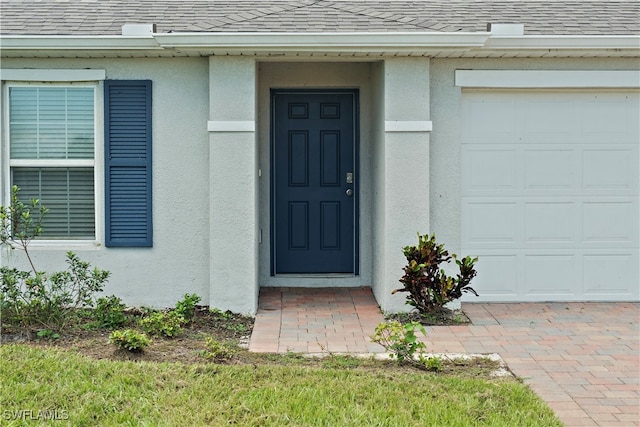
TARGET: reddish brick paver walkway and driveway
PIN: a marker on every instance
(583, 359)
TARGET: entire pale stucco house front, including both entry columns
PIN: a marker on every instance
(211, 151)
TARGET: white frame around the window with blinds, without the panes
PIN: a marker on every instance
(41, 80)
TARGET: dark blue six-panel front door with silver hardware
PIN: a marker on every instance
(314, 182)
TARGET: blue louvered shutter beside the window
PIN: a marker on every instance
(127, 108)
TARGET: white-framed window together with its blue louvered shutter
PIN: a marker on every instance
(83, 152)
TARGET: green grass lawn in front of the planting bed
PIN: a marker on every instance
(89, 392)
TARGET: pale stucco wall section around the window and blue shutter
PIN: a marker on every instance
(177, 263)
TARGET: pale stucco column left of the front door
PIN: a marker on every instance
(233, 190)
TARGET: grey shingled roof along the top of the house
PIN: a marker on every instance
(106, 17)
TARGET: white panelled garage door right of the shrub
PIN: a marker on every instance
(550, 194)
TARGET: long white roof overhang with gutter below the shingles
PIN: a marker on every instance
(476, 44)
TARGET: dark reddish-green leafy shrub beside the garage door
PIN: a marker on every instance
(429, 287)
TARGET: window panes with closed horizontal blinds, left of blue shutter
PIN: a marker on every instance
(52, 155)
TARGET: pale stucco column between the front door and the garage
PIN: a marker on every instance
(407, 128)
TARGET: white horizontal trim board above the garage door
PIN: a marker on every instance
(523, 79)
